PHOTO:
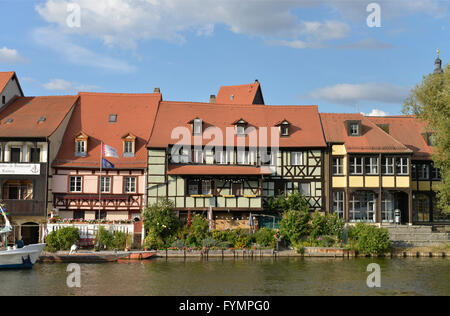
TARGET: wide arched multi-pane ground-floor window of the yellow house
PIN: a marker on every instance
(362, 206)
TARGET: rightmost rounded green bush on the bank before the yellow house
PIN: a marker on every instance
(370, 239)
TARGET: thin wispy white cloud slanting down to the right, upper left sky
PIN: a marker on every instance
(76, 54)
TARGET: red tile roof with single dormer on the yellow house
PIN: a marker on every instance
(372, 140)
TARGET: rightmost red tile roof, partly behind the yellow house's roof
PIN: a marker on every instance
(408, 130)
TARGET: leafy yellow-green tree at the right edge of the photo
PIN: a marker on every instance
(430, 101)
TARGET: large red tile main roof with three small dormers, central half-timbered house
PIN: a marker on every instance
(305, 128)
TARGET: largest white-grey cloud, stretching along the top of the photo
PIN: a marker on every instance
(125, 22)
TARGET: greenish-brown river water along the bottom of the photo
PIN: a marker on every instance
(262, 276)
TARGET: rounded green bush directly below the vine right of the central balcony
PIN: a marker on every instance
(294, 225)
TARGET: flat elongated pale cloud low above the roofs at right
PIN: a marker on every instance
(352, 94)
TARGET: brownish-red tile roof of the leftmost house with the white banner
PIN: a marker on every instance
(24, 113)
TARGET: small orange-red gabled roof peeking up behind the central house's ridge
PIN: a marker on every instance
(240, 94)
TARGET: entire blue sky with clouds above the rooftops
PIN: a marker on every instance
(342, 55)
